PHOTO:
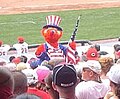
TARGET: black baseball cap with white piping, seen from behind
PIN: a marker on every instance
(64, 75)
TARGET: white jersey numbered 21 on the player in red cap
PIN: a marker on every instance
(21, 48)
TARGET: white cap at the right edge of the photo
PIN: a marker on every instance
(114, 74)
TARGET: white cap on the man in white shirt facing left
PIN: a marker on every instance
(93, 65)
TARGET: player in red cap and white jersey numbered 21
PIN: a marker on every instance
(21, 47)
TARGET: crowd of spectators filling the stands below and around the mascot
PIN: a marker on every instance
(95, 76)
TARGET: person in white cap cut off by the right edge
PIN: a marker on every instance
(114, 76)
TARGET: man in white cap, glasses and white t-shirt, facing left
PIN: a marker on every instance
(91, 87)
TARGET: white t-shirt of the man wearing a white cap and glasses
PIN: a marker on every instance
(91, 90)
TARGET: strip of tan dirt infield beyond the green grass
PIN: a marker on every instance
(31, 6)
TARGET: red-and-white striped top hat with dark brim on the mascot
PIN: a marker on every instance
(53, 21)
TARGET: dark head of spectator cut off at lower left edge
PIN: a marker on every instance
(6, 83)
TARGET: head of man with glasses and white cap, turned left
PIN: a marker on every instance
(91, 71)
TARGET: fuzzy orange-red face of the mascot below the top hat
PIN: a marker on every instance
(51, 34)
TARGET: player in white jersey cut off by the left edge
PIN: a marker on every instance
(4, 48)
